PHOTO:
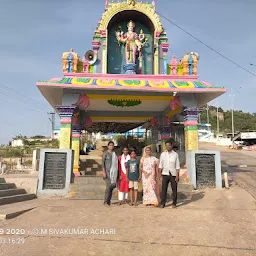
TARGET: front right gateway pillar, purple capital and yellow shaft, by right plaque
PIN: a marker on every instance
(191, 128)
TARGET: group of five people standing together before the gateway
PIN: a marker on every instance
(125, 173)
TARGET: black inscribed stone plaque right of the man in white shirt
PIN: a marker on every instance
(205, 170)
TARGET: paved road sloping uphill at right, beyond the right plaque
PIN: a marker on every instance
(245, 177)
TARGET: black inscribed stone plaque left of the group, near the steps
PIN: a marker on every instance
(54, 170)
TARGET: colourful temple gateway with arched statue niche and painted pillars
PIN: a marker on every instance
(126, 81)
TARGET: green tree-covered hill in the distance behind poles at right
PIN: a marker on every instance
(242, 121)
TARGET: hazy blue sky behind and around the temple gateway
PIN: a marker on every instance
(35, 33)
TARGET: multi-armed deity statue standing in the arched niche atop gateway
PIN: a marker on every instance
(133, 42)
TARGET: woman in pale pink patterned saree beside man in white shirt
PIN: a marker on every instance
(148, 167)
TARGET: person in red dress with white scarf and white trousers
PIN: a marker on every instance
(123, 187)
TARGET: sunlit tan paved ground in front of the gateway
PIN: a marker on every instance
(214, 222)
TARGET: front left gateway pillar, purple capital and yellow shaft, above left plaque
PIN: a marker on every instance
(66, 113)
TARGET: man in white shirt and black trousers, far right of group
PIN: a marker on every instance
(169, 168)
